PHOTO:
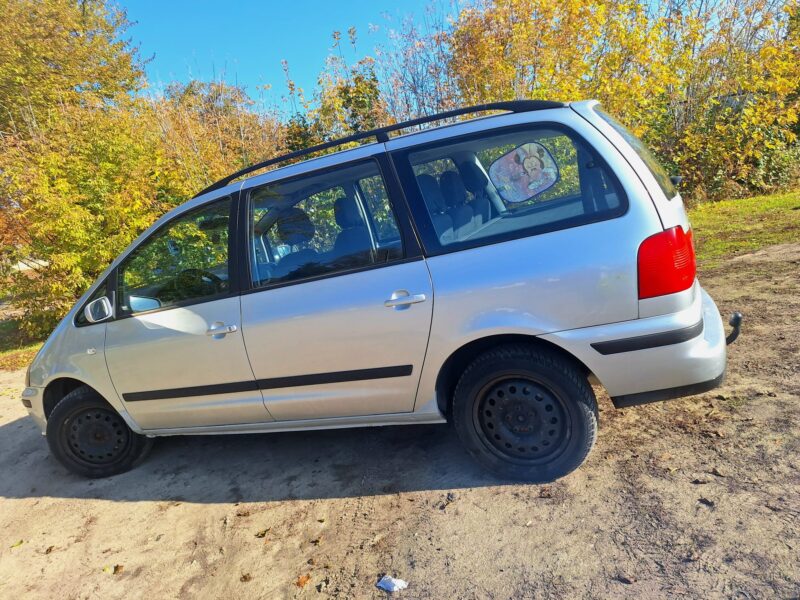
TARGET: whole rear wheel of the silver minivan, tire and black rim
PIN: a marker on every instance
(525, 413)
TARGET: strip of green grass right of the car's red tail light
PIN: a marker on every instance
(730, 227)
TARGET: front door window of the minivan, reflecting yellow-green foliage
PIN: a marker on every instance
(184, 261)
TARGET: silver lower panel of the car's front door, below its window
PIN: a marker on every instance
(167, 350)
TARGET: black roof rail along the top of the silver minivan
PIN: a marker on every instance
(382, 134)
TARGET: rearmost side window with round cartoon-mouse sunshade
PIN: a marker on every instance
(508, 183)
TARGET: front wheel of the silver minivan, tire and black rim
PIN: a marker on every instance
(89, 437)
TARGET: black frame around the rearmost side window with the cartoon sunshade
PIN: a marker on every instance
(422, 218)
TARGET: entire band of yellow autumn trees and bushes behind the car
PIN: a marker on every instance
(89, 157)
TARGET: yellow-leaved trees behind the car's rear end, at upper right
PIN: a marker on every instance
(707, 84)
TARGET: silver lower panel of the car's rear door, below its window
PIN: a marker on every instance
(336, 325)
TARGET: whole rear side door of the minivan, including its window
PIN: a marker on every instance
(337, 319)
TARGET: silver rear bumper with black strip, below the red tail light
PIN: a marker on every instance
(654, 358)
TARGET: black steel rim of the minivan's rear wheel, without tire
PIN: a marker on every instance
(522, 420)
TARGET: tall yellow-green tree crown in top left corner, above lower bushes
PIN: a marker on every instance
(61, 52)
